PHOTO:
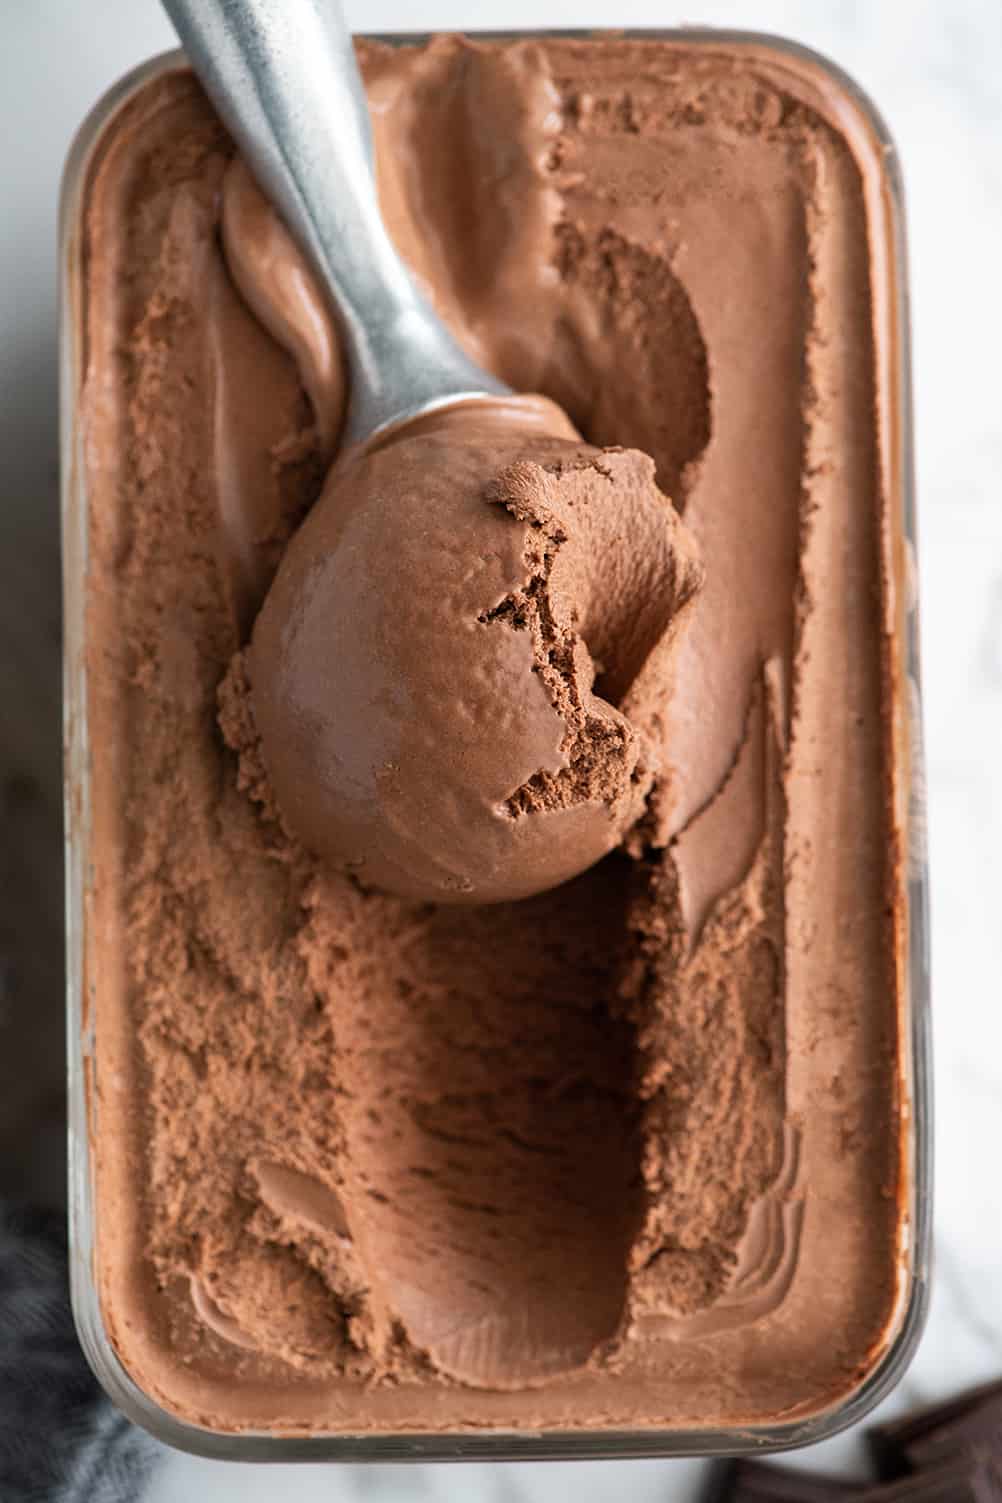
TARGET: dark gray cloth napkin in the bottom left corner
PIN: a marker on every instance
(61, 1439)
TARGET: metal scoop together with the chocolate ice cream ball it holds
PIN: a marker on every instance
(441, 674)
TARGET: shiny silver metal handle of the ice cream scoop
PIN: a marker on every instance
(285, 80)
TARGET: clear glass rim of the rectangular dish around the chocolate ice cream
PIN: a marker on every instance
(97, 1111)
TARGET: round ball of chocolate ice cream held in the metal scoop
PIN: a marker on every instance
(444, 671)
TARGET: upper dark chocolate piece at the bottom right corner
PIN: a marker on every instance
(941, 1432)
